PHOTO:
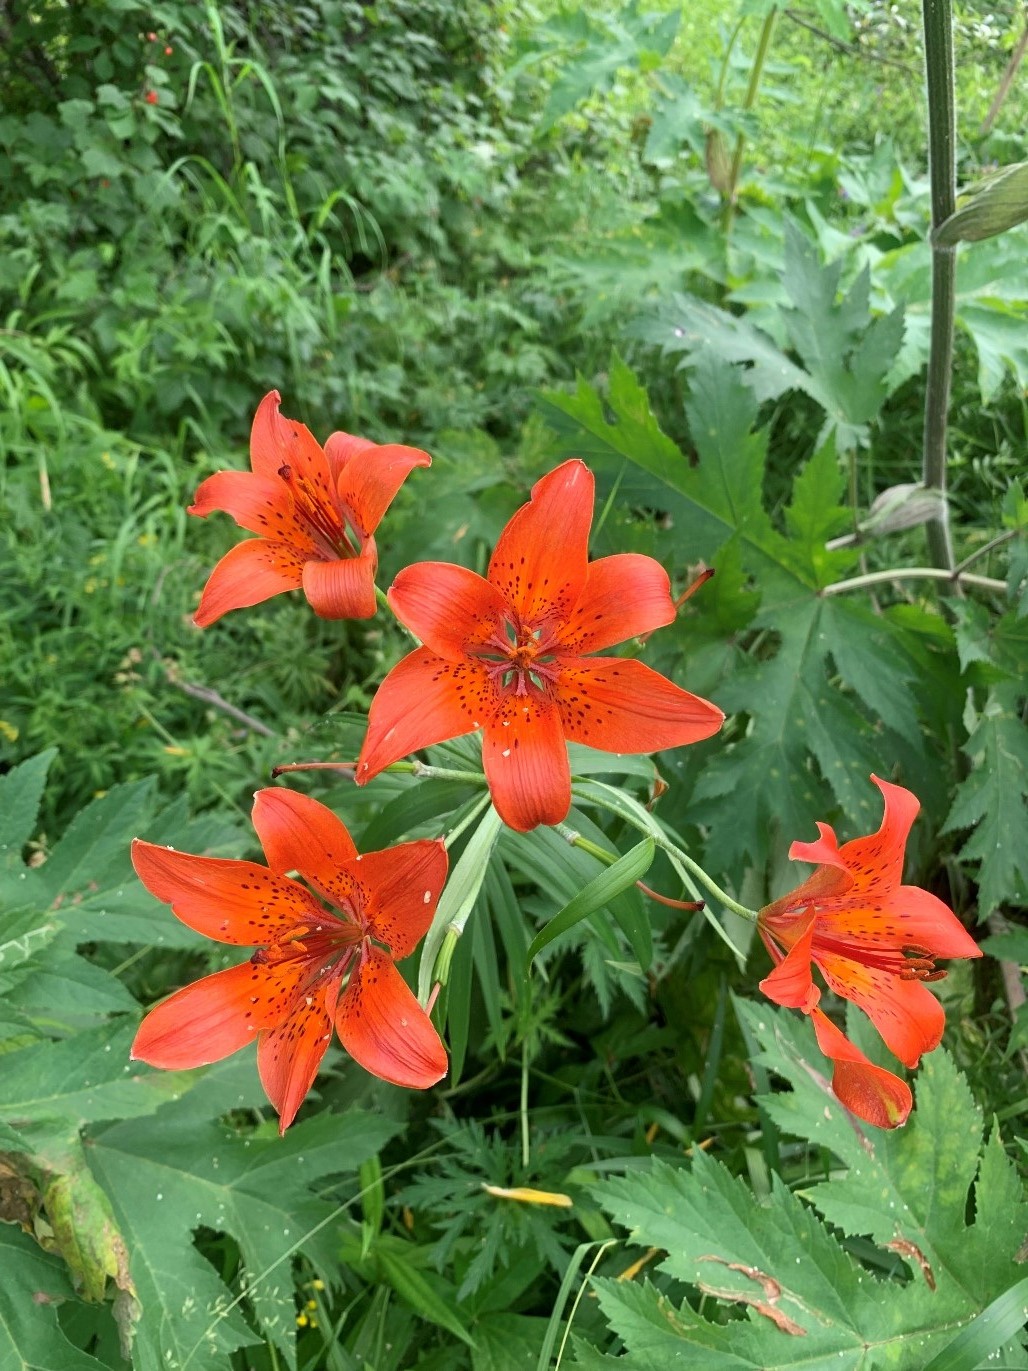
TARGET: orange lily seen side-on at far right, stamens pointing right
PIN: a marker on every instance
(875, 943)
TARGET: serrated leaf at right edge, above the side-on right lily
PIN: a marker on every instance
(993, 801)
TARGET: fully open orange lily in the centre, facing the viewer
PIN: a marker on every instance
(508, 655)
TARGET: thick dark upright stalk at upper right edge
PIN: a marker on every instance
(942, 168)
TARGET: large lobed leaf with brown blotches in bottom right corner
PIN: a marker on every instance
(808, 1299)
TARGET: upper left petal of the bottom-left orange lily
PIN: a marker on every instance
(231, 901)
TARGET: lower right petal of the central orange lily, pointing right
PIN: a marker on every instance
(620, 705)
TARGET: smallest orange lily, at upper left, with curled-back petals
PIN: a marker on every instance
(315, 511)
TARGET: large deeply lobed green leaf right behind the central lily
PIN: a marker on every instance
(829, 675)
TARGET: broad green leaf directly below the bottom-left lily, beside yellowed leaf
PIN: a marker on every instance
(167, 1177)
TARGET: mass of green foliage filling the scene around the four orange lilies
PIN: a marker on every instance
(409, 217)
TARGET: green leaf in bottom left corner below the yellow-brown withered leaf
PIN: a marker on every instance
(34, 1287)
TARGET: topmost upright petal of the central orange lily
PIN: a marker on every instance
(542, 556)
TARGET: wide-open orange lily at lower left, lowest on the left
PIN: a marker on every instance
(291, 991)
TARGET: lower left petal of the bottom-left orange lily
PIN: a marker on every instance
(205, 1022)
